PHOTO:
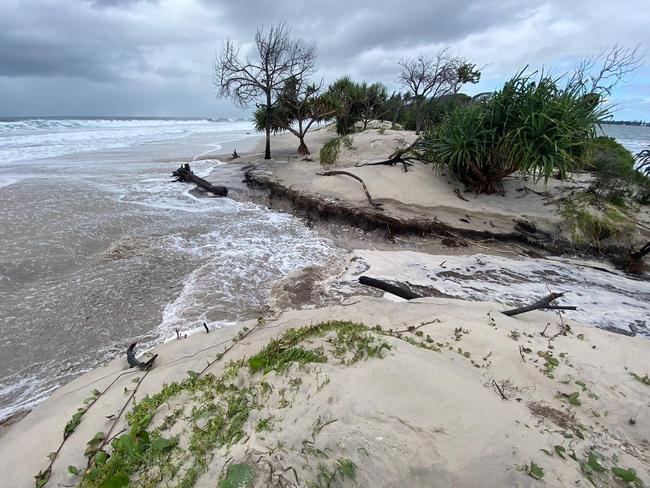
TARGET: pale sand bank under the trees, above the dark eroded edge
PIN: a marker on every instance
(422, 193)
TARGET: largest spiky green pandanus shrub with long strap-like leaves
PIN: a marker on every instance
(537, 127)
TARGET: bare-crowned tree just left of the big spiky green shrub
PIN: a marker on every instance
(435, 76)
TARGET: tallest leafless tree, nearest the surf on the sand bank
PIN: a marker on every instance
(277, 58)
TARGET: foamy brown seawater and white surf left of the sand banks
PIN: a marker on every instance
(99, 247)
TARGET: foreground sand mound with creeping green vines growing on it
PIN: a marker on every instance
(411, 416)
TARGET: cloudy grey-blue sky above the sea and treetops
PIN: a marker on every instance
(155, 57)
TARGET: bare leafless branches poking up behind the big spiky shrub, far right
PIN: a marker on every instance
(599, 74)
